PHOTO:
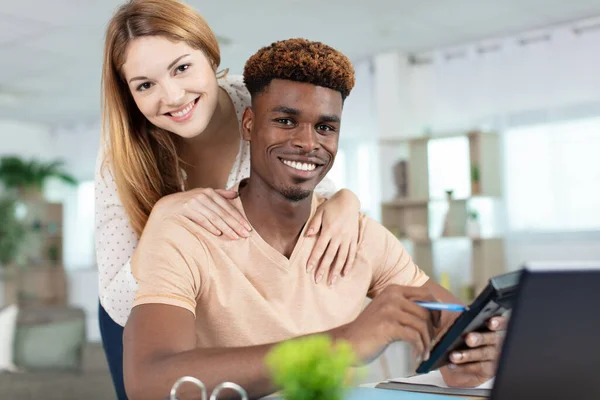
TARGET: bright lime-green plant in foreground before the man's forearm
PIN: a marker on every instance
(311, 368)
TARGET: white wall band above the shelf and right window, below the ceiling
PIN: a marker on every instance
(553, 76)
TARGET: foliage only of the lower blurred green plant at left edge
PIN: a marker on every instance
(12, 231)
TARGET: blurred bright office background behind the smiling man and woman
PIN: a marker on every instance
(473, 134)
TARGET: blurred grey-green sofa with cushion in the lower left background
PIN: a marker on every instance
(54, 360)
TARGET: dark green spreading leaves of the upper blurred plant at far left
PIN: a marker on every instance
(16, 173)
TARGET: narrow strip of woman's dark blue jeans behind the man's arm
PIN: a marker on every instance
(112, 342)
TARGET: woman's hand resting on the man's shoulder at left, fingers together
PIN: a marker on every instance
(207, 207)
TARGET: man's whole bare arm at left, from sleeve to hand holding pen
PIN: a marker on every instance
(160, 345)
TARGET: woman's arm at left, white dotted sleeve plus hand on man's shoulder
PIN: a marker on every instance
(116, 240)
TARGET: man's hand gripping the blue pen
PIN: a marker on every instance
(392, 316)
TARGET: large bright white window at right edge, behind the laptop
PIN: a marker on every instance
(552, 174)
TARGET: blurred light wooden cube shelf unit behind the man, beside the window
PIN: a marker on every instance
(439, 232)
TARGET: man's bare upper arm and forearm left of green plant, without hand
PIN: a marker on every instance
(160, 347)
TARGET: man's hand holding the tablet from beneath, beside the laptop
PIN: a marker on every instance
(473, 367)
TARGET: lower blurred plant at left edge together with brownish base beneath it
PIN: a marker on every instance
(12, 233)
